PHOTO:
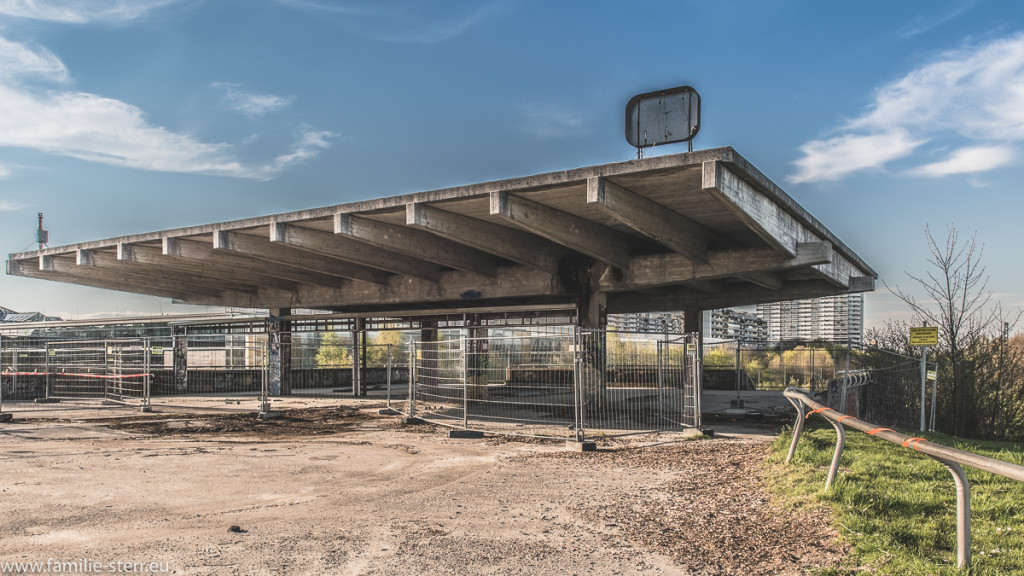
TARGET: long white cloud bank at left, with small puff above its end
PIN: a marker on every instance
(99, 130)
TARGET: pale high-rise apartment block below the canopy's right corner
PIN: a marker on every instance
(834, 319)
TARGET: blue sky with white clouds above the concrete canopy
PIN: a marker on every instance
(120, 117)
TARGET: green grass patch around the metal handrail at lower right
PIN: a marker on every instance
(897, 509)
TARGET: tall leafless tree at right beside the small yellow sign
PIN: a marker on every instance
(957, 300)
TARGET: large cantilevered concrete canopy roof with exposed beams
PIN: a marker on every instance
(697, 231)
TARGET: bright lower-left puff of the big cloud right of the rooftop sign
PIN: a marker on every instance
(835, 158)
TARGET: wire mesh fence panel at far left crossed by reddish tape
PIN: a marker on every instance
(115, 371)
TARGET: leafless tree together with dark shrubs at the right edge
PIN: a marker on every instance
(980, 355)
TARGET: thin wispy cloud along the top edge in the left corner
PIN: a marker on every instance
(81, 12)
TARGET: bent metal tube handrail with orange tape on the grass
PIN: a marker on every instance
(952, 459)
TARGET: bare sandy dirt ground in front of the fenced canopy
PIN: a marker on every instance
(347, 491)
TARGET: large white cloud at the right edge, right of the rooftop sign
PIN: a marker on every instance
(975, 94)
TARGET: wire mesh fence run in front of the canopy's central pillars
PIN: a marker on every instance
(561, 385)
